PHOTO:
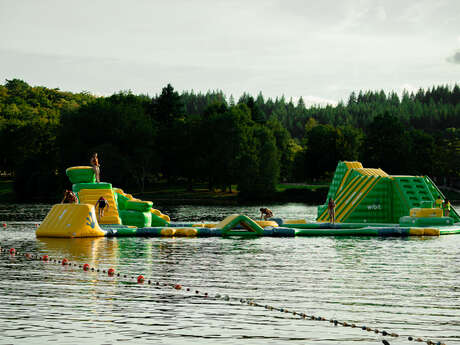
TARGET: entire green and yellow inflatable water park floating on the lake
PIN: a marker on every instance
(368, 202)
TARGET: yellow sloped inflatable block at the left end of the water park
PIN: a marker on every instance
(70, 220)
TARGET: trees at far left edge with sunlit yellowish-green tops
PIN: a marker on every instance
(29, 119)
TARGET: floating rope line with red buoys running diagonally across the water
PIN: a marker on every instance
(141, 280)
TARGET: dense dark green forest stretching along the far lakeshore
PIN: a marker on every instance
(253, 142)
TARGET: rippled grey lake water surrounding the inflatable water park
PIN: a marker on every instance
(406, 286)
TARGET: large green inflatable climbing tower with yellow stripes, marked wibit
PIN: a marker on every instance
(364, 195)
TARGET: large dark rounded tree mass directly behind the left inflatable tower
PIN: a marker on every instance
(119, 129)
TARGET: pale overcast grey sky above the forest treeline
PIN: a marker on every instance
(321, 50)
